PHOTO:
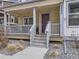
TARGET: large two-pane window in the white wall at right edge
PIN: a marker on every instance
(73, 13)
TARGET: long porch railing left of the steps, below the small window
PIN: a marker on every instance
(18, 29)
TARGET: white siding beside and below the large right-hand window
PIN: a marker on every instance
(68, 31)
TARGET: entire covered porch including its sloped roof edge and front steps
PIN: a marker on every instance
(38, 20)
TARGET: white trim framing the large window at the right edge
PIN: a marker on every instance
(76, 1)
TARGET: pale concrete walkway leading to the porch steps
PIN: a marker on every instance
(28, 53)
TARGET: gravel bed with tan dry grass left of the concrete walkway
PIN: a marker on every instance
(13, 47)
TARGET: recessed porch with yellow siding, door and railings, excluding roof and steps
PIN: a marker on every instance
(19, 22)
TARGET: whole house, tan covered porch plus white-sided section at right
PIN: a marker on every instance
(33, 19)
